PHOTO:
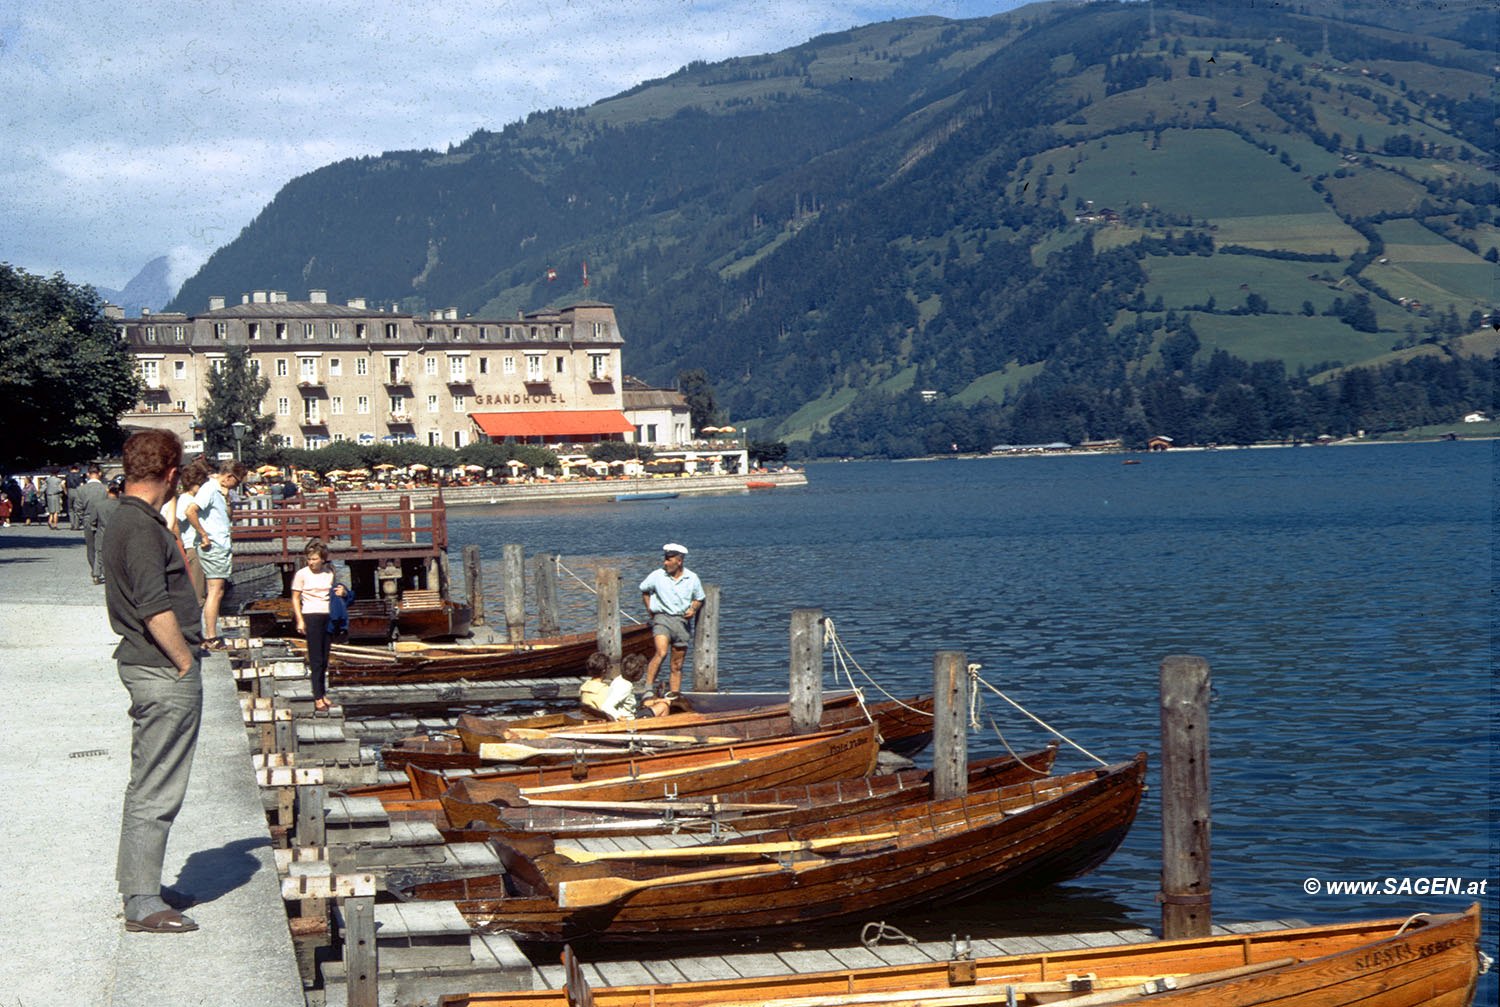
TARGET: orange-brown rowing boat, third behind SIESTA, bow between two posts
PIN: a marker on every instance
(742, 766)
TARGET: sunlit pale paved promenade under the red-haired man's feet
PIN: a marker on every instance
(68, 753)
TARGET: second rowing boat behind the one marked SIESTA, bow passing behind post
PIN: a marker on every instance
(740, 813)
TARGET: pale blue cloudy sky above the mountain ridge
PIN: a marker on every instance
(143, 128)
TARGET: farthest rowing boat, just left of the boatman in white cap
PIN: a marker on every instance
(542, 658)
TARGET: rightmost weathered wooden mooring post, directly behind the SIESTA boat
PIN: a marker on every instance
(1186, 807)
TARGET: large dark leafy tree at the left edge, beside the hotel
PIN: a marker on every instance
(65, 377)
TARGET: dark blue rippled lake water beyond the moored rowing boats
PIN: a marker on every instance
(1345, 598)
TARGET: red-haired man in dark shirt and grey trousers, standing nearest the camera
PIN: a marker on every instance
(155, 613)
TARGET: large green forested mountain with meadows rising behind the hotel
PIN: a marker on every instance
(1063, 197)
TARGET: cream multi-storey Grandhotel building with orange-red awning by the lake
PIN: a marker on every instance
(350, 373)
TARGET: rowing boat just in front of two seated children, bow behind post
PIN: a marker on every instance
(905, 727)
